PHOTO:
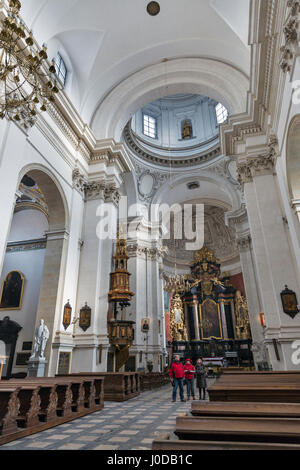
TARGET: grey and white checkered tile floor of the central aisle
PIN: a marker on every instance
(125, 426)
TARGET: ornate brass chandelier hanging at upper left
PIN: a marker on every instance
(27, 83)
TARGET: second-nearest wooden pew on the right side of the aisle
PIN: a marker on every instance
(267, 430)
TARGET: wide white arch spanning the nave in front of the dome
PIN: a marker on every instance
(203, 76)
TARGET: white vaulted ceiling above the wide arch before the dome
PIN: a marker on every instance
(106, 41)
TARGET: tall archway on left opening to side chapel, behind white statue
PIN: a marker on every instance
(36, 248)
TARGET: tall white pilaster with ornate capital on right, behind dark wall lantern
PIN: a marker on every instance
(273, 258)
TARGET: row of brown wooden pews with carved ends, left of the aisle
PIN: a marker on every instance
(31, 405)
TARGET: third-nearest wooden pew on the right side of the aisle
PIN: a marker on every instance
(243, 409)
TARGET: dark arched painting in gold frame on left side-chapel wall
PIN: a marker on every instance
(12, 291)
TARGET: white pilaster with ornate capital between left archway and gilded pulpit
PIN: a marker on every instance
(94, 279)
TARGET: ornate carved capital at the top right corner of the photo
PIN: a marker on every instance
(291, 33)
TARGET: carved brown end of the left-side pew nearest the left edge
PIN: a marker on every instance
(9, 409)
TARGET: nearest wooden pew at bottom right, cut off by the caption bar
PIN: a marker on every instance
(163, 442)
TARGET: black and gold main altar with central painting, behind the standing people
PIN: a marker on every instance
(208, 316)
